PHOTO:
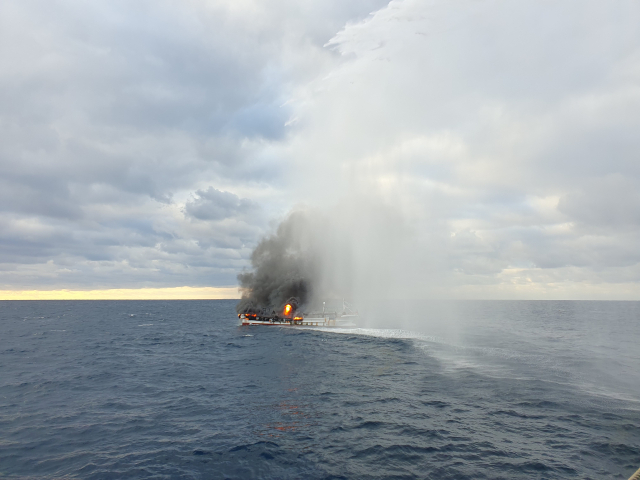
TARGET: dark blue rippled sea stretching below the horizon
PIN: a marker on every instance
(175, 389)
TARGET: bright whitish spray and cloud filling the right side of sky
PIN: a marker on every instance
(503, 132)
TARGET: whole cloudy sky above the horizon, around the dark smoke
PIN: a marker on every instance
(148, 146)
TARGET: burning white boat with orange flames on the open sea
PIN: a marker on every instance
(291, 315)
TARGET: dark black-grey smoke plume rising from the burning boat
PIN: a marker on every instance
(284, 265)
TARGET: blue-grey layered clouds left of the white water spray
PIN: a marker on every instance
(128, 132)
